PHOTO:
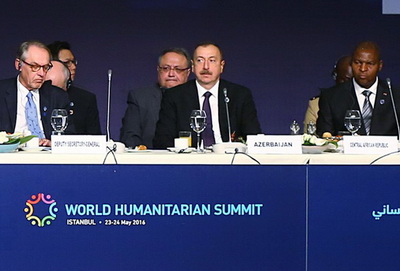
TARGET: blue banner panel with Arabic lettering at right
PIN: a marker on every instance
(354, 218)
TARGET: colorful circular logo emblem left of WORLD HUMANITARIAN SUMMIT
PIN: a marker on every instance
(35, 204)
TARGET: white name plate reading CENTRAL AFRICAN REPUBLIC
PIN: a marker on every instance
(369, 144)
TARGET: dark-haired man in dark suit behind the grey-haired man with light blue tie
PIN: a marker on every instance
(83, 102)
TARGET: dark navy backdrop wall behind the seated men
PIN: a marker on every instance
(282, 50)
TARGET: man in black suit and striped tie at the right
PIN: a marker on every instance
(365, 92)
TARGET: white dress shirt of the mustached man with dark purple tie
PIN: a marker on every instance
(214, 108)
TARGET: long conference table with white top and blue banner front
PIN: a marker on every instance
(159, 210)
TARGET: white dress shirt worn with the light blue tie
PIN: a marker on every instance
(21, 125)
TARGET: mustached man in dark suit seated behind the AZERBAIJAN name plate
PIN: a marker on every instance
(178, 103)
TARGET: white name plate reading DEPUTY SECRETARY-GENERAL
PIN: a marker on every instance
(78, 144)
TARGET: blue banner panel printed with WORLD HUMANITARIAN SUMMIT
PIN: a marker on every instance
(135, 217)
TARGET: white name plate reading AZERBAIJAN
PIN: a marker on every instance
(280, 144)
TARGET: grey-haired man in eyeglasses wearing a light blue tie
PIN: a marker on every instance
(26, 102)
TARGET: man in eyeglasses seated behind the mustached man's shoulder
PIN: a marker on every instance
(141, 116)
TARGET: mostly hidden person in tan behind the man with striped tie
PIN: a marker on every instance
(341, 73)
